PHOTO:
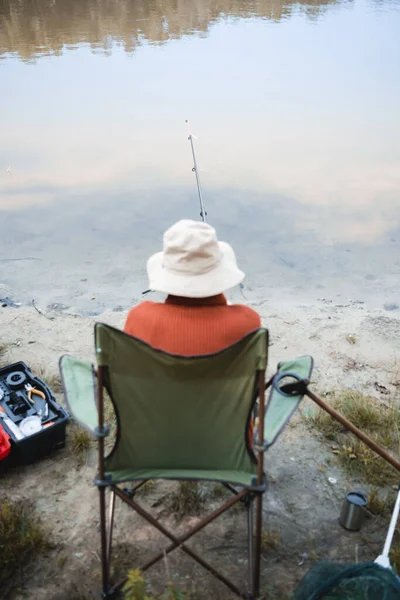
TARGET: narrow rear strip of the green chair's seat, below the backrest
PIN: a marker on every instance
(234, 477)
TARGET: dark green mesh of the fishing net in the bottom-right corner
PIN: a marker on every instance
(335, 581)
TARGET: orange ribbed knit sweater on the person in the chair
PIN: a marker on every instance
(191, 326)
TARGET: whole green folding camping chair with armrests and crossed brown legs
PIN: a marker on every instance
(182, 418)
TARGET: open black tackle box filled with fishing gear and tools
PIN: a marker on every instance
(33, 423)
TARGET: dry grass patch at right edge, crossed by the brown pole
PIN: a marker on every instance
(379, 421)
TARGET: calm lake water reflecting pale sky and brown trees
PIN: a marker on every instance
(295, 106)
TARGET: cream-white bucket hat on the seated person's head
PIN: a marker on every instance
(193, 263)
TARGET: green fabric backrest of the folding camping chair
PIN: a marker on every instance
(176, 412)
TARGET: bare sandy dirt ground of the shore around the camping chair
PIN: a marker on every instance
(353, 347)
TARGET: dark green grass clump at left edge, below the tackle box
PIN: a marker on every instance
(22, 538)
